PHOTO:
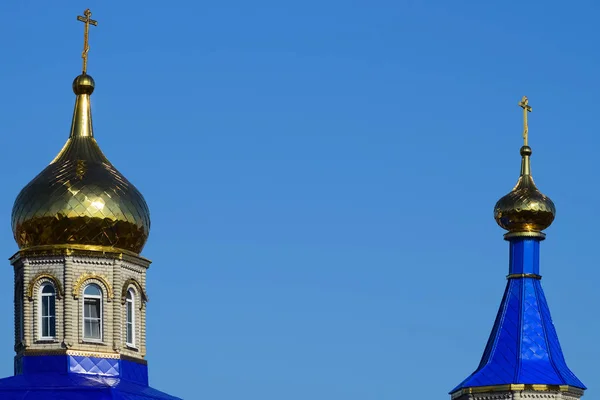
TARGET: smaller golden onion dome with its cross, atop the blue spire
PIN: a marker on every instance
(525, 211)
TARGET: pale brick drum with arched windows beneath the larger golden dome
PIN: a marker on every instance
(80, 301)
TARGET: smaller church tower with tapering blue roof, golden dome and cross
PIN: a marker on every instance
(523, 357)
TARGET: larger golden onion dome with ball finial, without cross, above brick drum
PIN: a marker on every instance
(81, 199)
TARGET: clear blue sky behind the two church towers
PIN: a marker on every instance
(321, 177)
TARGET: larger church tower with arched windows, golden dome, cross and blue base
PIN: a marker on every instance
(80, 281)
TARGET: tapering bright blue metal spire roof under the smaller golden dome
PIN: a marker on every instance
(523, 347)
